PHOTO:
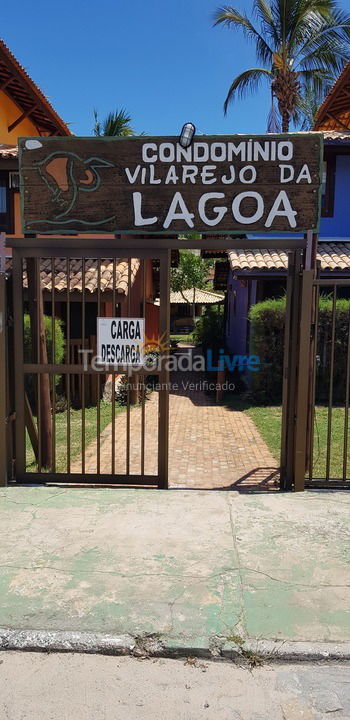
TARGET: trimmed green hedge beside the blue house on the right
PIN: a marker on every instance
(267, 321)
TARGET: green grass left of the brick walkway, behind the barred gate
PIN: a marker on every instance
(75, 434)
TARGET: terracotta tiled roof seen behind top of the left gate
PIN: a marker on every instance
(76, 275)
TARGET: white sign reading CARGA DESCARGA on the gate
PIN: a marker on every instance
(120, 341)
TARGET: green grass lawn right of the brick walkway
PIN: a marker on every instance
(268, 421)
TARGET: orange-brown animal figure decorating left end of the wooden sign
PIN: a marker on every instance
(66, 175)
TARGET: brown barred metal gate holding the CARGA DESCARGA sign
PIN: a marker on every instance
(91, 439)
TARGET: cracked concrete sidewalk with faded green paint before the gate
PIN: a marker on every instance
(207, 571)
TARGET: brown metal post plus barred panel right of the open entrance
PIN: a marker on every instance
(315, 414)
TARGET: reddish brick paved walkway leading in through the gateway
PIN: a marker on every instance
(210, 446)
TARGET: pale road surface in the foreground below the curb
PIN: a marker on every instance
(35, 686)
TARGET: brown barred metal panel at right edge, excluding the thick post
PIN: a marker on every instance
(328, 437)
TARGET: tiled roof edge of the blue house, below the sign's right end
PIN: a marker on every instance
(334, 257)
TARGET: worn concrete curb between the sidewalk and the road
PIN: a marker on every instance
(252, 651)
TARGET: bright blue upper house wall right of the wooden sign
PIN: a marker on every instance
(339, 224)
